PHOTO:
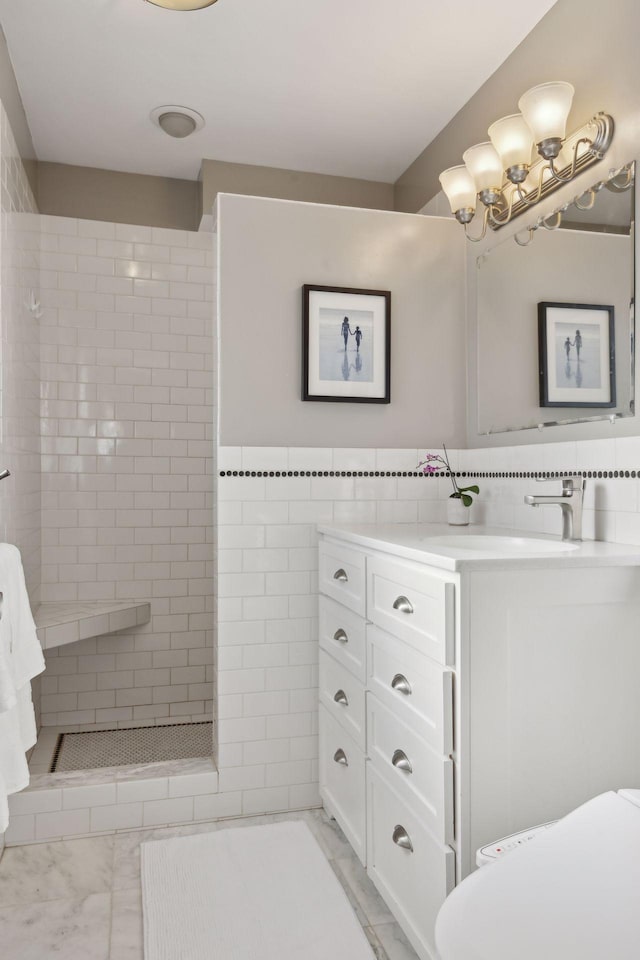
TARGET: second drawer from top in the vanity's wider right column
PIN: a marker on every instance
(418, 690)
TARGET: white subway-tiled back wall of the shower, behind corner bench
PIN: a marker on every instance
(127, 438)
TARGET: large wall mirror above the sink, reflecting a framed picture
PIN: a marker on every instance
(586, 261)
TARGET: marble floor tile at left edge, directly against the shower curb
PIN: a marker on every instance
(61, 870)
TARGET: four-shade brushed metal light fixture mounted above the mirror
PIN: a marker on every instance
(503, 174)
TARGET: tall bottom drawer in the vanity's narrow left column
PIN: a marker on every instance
(342, 781)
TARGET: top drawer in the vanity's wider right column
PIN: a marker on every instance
(408, 601)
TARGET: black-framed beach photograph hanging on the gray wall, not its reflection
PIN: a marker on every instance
(346, 344)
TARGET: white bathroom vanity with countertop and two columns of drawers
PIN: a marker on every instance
(472, 684)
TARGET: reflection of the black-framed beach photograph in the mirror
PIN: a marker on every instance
(576, 348)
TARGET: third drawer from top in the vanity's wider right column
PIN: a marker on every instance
(421, 776)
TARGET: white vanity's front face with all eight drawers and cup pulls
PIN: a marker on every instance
(386, 725)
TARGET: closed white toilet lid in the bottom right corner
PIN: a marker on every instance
(571, 893)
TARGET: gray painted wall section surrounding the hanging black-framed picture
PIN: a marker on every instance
(267, 250)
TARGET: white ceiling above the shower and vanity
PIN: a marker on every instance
(349, 87)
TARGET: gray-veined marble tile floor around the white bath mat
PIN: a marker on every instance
(86, 893)
